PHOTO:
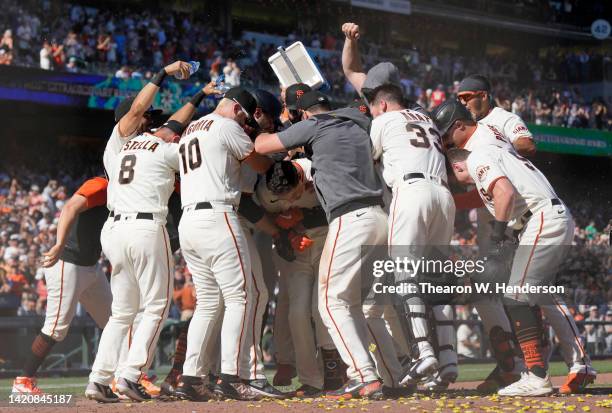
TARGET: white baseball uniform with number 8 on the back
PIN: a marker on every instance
(139, 251)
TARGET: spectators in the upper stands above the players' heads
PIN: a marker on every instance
(75, 38)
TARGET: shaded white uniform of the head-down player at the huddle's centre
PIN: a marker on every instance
(300, 280)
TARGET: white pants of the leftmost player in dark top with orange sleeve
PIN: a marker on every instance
(68, 284)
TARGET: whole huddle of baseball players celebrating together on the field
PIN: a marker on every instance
(313, 185)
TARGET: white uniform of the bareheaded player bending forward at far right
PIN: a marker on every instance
(537, 212)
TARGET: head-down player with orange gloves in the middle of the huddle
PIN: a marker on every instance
(288, 192)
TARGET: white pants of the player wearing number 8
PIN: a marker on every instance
(142, 275)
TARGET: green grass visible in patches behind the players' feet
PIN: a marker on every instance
(467, 372)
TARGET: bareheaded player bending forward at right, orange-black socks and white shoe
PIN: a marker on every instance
(519, 196)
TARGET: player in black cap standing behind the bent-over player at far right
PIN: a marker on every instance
(474, 93)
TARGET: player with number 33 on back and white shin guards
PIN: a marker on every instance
(422, 213)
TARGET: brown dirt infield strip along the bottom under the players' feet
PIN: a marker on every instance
(460, 399)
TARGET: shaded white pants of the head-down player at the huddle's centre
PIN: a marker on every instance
(301, 278)
